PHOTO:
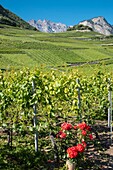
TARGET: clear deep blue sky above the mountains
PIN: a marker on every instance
(69, 12)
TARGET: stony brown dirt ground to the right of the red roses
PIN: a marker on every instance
(104, 157)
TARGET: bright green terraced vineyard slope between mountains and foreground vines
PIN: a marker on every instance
(27, 48)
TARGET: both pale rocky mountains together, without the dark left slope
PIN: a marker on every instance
(97, 24)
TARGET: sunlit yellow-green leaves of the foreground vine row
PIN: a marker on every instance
(55, 96)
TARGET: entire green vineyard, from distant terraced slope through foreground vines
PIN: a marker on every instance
(53, 97)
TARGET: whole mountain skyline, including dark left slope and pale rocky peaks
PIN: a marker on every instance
(97, 24)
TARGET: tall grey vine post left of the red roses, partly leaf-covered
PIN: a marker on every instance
(35, 120)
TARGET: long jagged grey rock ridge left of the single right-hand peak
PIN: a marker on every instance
(48, 26)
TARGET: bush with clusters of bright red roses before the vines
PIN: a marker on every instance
(74, 140)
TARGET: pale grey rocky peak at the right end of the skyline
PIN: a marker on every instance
(98, 24)
